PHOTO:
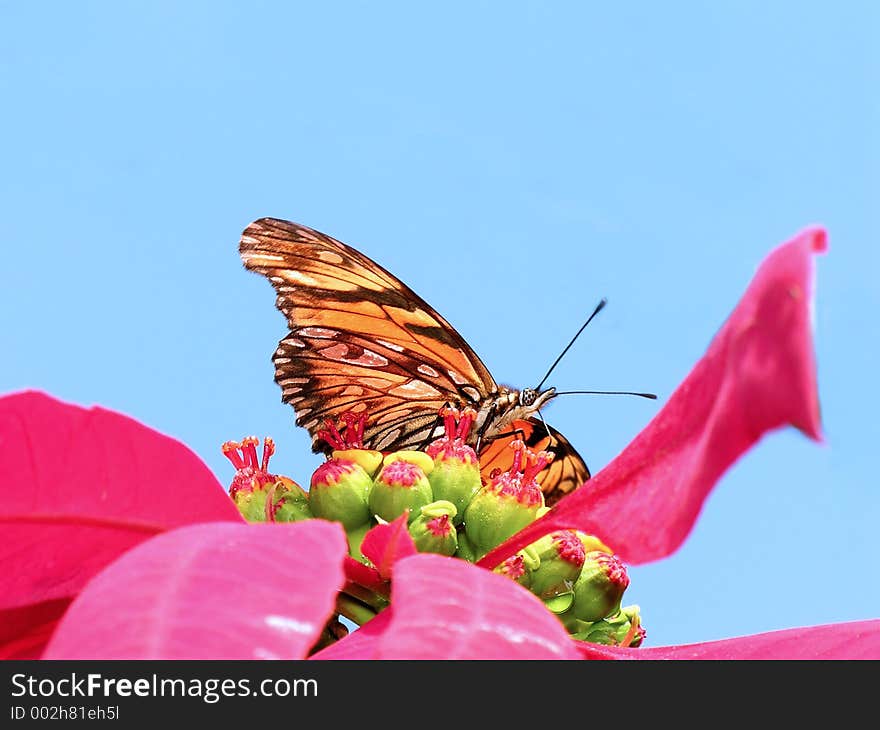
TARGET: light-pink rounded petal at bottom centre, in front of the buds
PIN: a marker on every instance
(446, 608)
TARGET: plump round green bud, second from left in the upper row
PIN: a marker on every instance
(340, 491)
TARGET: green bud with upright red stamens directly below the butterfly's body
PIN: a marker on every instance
(456, 473)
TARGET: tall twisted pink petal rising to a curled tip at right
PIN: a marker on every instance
(757, 375)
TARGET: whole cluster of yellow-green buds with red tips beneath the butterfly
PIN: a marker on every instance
(453, 511)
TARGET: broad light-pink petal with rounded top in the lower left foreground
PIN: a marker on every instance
(211, 591)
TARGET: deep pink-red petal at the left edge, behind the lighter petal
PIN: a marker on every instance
(84, 486)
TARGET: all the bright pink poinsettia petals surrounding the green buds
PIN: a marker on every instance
(97, 534)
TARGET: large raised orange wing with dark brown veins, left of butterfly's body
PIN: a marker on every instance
(359, 338)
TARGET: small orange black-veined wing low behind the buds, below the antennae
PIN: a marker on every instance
(565, 473)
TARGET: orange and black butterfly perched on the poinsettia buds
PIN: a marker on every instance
(360, 340)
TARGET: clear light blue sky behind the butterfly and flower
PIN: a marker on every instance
(512, 167)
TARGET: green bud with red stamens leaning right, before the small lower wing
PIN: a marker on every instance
(509, 502)
